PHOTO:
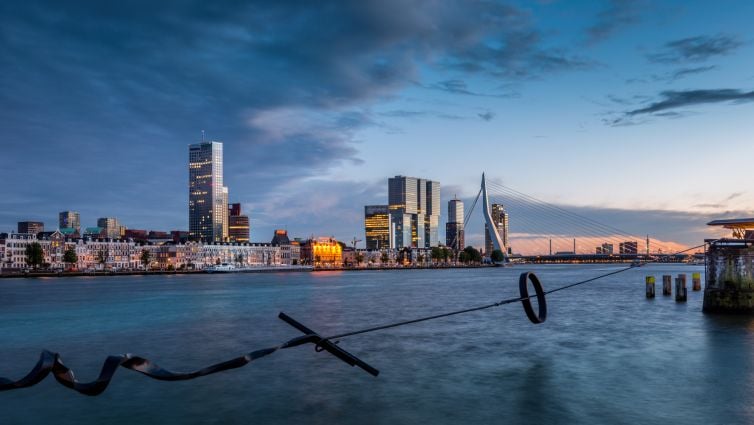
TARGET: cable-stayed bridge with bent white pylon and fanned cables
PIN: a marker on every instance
(523, 227)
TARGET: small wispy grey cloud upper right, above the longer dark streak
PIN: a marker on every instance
(695, 49)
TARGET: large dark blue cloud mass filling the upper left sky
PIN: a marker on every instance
(105, 96)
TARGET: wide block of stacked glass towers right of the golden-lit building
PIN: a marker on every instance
(414, 207)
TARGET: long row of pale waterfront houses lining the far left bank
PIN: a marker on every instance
(128, 254)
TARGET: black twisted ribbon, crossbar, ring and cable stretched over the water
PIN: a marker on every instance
(50, 362)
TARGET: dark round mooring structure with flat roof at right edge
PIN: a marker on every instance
(729, 269)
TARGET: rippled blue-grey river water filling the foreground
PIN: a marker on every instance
(605, 354)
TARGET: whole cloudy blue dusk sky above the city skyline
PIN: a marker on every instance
(635, 113)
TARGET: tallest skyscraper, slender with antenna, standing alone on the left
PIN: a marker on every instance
(208, 206)
